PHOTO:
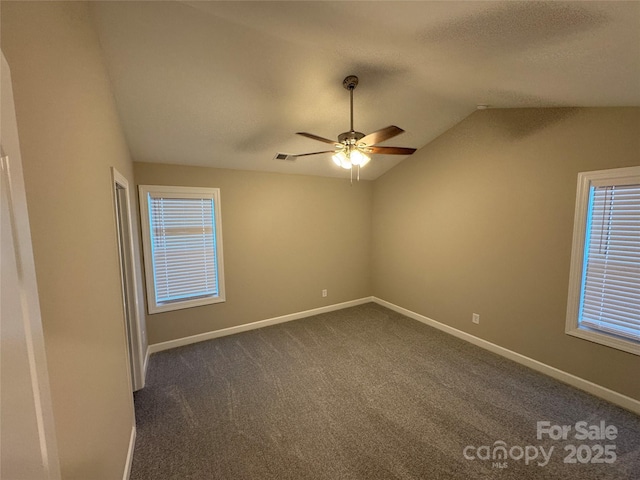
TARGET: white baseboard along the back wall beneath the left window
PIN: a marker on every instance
(158, 347)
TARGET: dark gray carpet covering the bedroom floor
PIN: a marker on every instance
(362, 393)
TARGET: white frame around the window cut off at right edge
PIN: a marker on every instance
(586, 180)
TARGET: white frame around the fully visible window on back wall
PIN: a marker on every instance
(144, 192)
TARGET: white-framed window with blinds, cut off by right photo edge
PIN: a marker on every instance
(604, 289)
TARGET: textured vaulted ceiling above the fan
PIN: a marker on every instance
(227, 84)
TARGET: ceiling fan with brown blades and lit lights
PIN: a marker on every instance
(353, 148)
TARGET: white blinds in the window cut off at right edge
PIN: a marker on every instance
(610, 299)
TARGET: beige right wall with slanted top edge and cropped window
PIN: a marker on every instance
(481, 220)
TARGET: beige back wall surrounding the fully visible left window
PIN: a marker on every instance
(286, 237)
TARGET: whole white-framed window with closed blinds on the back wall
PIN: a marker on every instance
(182, 241)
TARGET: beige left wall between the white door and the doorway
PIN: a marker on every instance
(70, 137)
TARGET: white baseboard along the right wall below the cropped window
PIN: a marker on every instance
(590, 387)
